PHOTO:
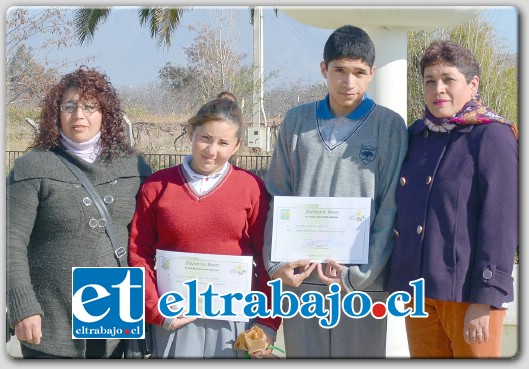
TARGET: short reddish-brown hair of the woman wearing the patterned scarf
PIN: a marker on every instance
(452, 54)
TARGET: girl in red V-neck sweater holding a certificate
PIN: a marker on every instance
(204, 205)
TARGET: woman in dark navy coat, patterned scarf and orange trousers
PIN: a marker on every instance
(457, 217)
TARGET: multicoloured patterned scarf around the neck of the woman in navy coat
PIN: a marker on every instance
(474, 112)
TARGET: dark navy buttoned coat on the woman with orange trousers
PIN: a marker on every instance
(457, 214)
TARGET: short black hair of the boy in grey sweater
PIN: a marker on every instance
(349, 42)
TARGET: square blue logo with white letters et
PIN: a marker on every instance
(108, 303)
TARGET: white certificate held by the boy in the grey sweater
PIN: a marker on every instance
(318, 228)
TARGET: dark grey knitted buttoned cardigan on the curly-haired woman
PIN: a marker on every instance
(50, 229)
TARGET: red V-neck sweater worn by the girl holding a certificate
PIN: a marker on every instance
(228, 220)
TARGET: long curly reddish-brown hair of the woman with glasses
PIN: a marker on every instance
(91, 85)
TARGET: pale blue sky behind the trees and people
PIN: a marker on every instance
(125, 51)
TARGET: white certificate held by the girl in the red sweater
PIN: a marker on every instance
(222, 274)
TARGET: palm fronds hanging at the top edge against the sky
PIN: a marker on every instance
(162, 22)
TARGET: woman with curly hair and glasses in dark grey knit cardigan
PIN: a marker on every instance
(53, 223)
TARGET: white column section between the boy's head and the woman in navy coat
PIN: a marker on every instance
(389, 87)
